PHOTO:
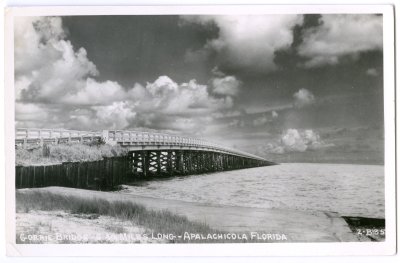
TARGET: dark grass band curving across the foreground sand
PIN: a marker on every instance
(155, 221)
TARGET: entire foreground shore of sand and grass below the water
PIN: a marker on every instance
(154, 220)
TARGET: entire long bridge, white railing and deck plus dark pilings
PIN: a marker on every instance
(151, 153)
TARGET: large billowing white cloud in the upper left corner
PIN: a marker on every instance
(46, 66)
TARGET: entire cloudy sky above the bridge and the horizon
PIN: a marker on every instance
(267, 84)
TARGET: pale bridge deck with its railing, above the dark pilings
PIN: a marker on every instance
(134, 140)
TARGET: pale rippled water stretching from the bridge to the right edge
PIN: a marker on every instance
(351, 190)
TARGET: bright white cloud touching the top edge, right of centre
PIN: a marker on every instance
(247, 41)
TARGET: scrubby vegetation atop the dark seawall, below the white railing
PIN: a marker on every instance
(73, 152)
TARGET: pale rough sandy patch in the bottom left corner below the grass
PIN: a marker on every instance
(60, 227)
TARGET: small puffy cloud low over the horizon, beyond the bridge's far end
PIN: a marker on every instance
(294, 140)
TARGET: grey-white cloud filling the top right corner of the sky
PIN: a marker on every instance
(341, 35)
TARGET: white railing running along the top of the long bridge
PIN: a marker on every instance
(125, 138)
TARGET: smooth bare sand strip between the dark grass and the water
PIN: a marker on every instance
(297, 226)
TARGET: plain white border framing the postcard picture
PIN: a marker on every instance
(276, 249)
